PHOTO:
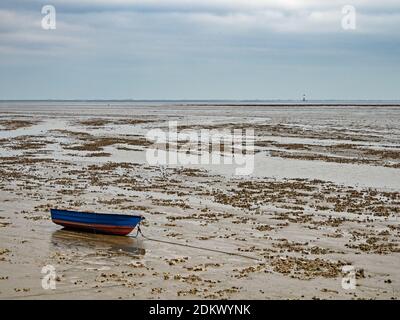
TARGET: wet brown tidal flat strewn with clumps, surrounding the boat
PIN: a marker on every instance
(324, 194)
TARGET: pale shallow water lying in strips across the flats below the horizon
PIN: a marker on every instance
(382, 123)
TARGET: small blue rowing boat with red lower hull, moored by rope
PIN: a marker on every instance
(117, 224)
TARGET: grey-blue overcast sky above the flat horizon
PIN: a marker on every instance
(200, 49)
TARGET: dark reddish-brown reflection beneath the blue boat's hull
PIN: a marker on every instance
(70, 239)
